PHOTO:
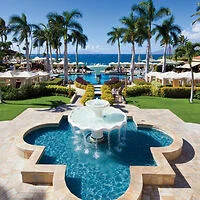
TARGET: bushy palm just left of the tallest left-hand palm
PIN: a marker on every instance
(43, 35)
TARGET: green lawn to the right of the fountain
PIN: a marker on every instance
(181, 107)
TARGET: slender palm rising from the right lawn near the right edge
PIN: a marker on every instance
(189, 50)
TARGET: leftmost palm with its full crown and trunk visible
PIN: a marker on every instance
(22, 29)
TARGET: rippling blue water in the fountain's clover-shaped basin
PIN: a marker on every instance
(106, 177)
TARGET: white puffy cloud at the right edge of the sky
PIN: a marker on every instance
(193, 34)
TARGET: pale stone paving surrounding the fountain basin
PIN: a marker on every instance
(186, 166)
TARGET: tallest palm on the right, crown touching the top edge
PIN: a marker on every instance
(147, 10)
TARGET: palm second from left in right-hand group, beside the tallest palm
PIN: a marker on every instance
(133, 32)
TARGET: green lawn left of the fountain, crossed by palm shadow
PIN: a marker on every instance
(10, 109)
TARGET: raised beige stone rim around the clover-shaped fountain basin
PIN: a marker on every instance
(54, 175)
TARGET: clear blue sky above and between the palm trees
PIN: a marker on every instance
(100, 16)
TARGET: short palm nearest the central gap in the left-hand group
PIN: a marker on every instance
(78, 38)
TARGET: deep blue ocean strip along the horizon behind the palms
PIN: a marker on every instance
(103, 59)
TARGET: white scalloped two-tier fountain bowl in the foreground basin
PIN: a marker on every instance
(97, 117)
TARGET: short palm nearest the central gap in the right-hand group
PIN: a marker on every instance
(114, 36)
